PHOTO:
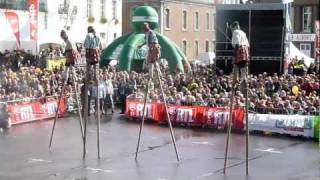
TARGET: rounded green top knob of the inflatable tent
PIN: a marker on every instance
(145, 14)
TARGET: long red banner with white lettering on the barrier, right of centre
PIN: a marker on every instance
(190, 115)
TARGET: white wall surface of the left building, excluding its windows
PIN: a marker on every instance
(51, 23)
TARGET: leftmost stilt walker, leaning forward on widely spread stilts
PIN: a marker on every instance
(71, 56)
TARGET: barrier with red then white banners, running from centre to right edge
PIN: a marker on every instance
(217, 117)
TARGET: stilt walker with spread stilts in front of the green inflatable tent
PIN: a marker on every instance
(152, 58)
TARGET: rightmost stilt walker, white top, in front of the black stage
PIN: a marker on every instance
(240, 68)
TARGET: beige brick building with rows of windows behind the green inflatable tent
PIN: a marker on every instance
(188, 23)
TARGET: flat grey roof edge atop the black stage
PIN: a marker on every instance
(247, 7)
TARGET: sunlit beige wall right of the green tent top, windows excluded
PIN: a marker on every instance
(190, 34)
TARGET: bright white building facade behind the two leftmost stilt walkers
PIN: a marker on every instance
(104, 15)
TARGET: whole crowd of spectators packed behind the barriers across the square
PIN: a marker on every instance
(267, 93)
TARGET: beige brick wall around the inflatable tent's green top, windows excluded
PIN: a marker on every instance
(175, 32)
